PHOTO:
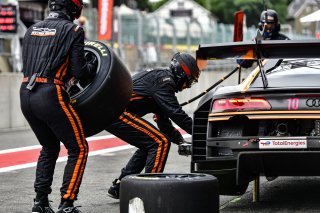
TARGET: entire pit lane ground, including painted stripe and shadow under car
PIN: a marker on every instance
(284, 194)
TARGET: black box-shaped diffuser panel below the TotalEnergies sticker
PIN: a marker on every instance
(277, 163)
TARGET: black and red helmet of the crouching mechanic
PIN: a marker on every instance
(185, 70)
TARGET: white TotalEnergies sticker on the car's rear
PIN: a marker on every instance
(283, 143)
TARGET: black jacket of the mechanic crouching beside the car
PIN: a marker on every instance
(154, 92)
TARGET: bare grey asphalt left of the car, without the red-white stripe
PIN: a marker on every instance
(17, 191)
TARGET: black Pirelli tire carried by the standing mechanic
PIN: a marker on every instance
(102, 99)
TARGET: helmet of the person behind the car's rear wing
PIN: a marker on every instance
(269, 22)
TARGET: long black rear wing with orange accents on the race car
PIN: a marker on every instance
(258, 50)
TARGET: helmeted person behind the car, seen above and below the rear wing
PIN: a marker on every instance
(269, 25)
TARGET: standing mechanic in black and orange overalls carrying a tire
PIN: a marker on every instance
(53, 53)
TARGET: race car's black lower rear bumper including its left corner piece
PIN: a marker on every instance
(245, 166)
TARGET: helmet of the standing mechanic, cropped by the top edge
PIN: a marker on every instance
(73, 7)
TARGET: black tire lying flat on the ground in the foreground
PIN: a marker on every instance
(170, 193)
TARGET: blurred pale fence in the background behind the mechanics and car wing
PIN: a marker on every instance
(144, 40)
